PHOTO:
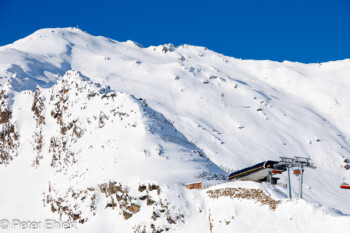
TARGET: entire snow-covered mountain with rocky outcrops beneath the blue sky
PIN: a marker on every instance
(108, 133)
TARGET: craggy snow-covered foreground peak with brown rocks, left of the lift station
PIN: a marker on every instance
(76, 140)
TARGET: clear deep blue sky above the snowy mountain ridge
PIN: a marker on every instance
(299, 30)
